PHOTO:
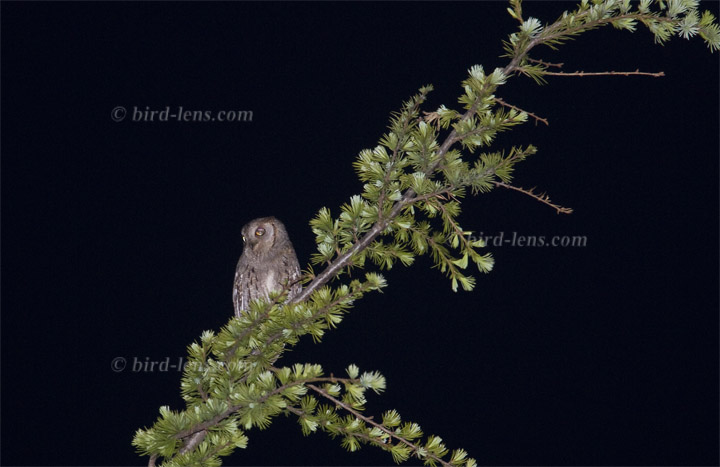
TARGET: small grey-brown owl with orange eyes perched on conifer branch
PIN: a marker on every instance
(268, 263)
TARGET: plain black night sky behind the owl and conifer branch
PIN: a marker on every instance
(120, 239)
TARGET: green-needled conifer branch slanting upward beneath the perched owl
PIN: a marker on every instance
(413, 181)
